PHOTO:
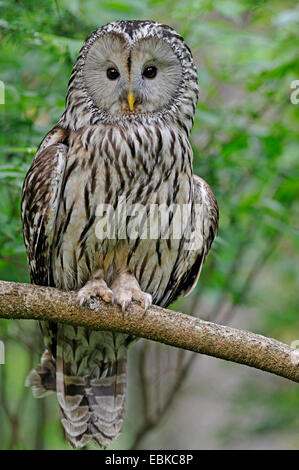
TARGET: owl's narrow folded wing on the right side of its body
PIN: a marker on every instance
(207, 215)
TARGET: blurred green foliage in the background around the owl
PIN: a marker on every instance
(245, 142)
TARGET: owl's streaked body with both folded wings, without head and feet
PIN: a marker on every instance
(75, 174)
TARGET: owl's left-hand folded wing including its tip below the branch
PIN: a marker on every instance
(40, 202)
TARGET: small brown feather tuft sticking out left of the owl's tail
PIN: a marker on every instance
(42, 379)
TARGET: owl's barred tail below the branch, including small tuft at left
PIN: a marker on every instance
(90, 383)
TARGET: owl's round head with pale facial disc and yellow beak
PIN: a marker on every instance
(134, 68)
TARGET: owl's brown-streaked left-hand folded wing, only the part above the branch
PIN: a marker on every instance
(40, 201)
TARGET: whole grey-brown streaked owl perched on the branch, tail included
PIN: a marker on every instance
(111, 209)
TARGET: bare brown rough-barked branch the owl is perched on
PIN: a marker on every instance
(25, 301)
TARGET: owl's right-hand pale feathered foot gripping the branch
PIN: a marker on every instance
(126, 289)
